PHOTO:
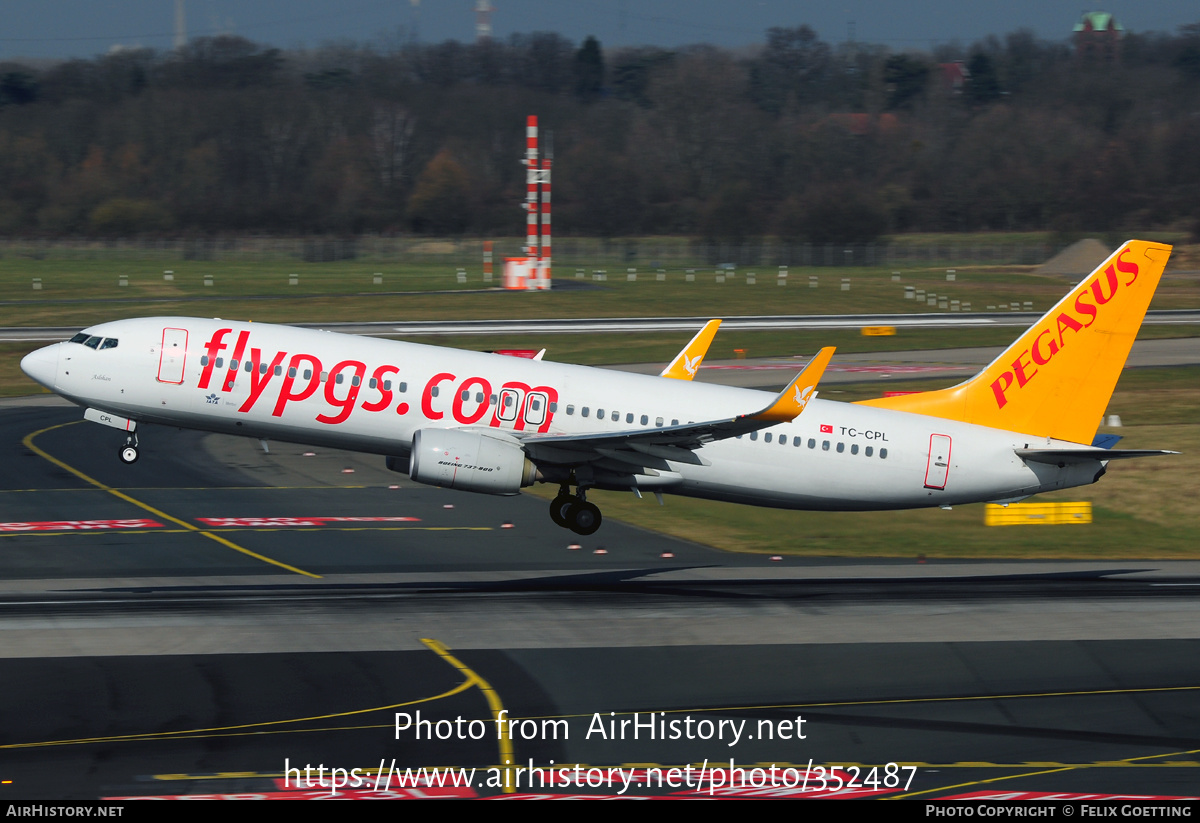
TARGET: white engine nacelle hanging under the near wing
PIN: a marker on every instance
(470, 461)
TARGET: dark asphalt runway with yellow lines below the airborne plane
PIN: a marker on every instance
(229, 623)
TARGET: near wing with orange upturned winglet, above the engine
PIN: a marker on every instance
(647, 450)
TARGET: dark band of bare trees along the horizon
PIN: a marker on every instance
(799, 139)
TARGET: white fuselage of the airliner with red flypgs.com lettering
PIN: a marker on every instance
(377, 394)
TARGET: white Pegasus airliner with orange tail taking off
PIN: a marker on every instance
(496, 424)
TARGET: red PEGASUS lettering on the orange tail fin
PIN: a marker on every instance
(1052, 340)
